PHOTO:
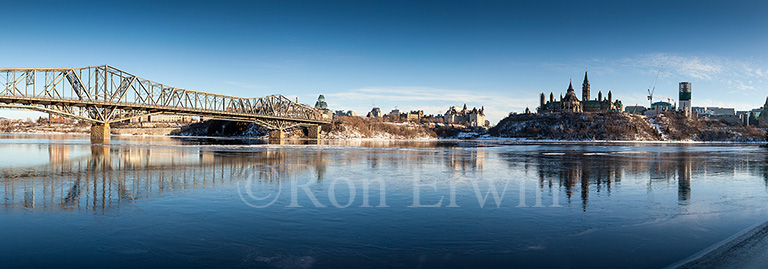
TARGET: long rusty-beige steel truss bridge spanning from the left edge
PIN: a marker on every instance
(104, 94)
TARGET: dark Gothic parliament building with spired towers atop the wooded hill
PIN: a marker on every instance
(571, 102)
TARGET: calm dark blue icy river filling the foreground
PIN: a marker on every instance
(162, 201)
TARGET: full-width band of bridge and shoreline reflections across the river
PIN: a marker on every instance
(100, 177)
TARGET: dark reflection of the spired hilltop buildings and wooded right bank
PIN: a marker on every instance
(581, 172)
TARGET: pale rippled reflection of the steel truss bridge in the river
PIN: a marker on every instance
(109, 176)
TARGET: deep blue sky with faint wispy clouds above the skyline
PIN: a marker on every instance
(408, 54)
